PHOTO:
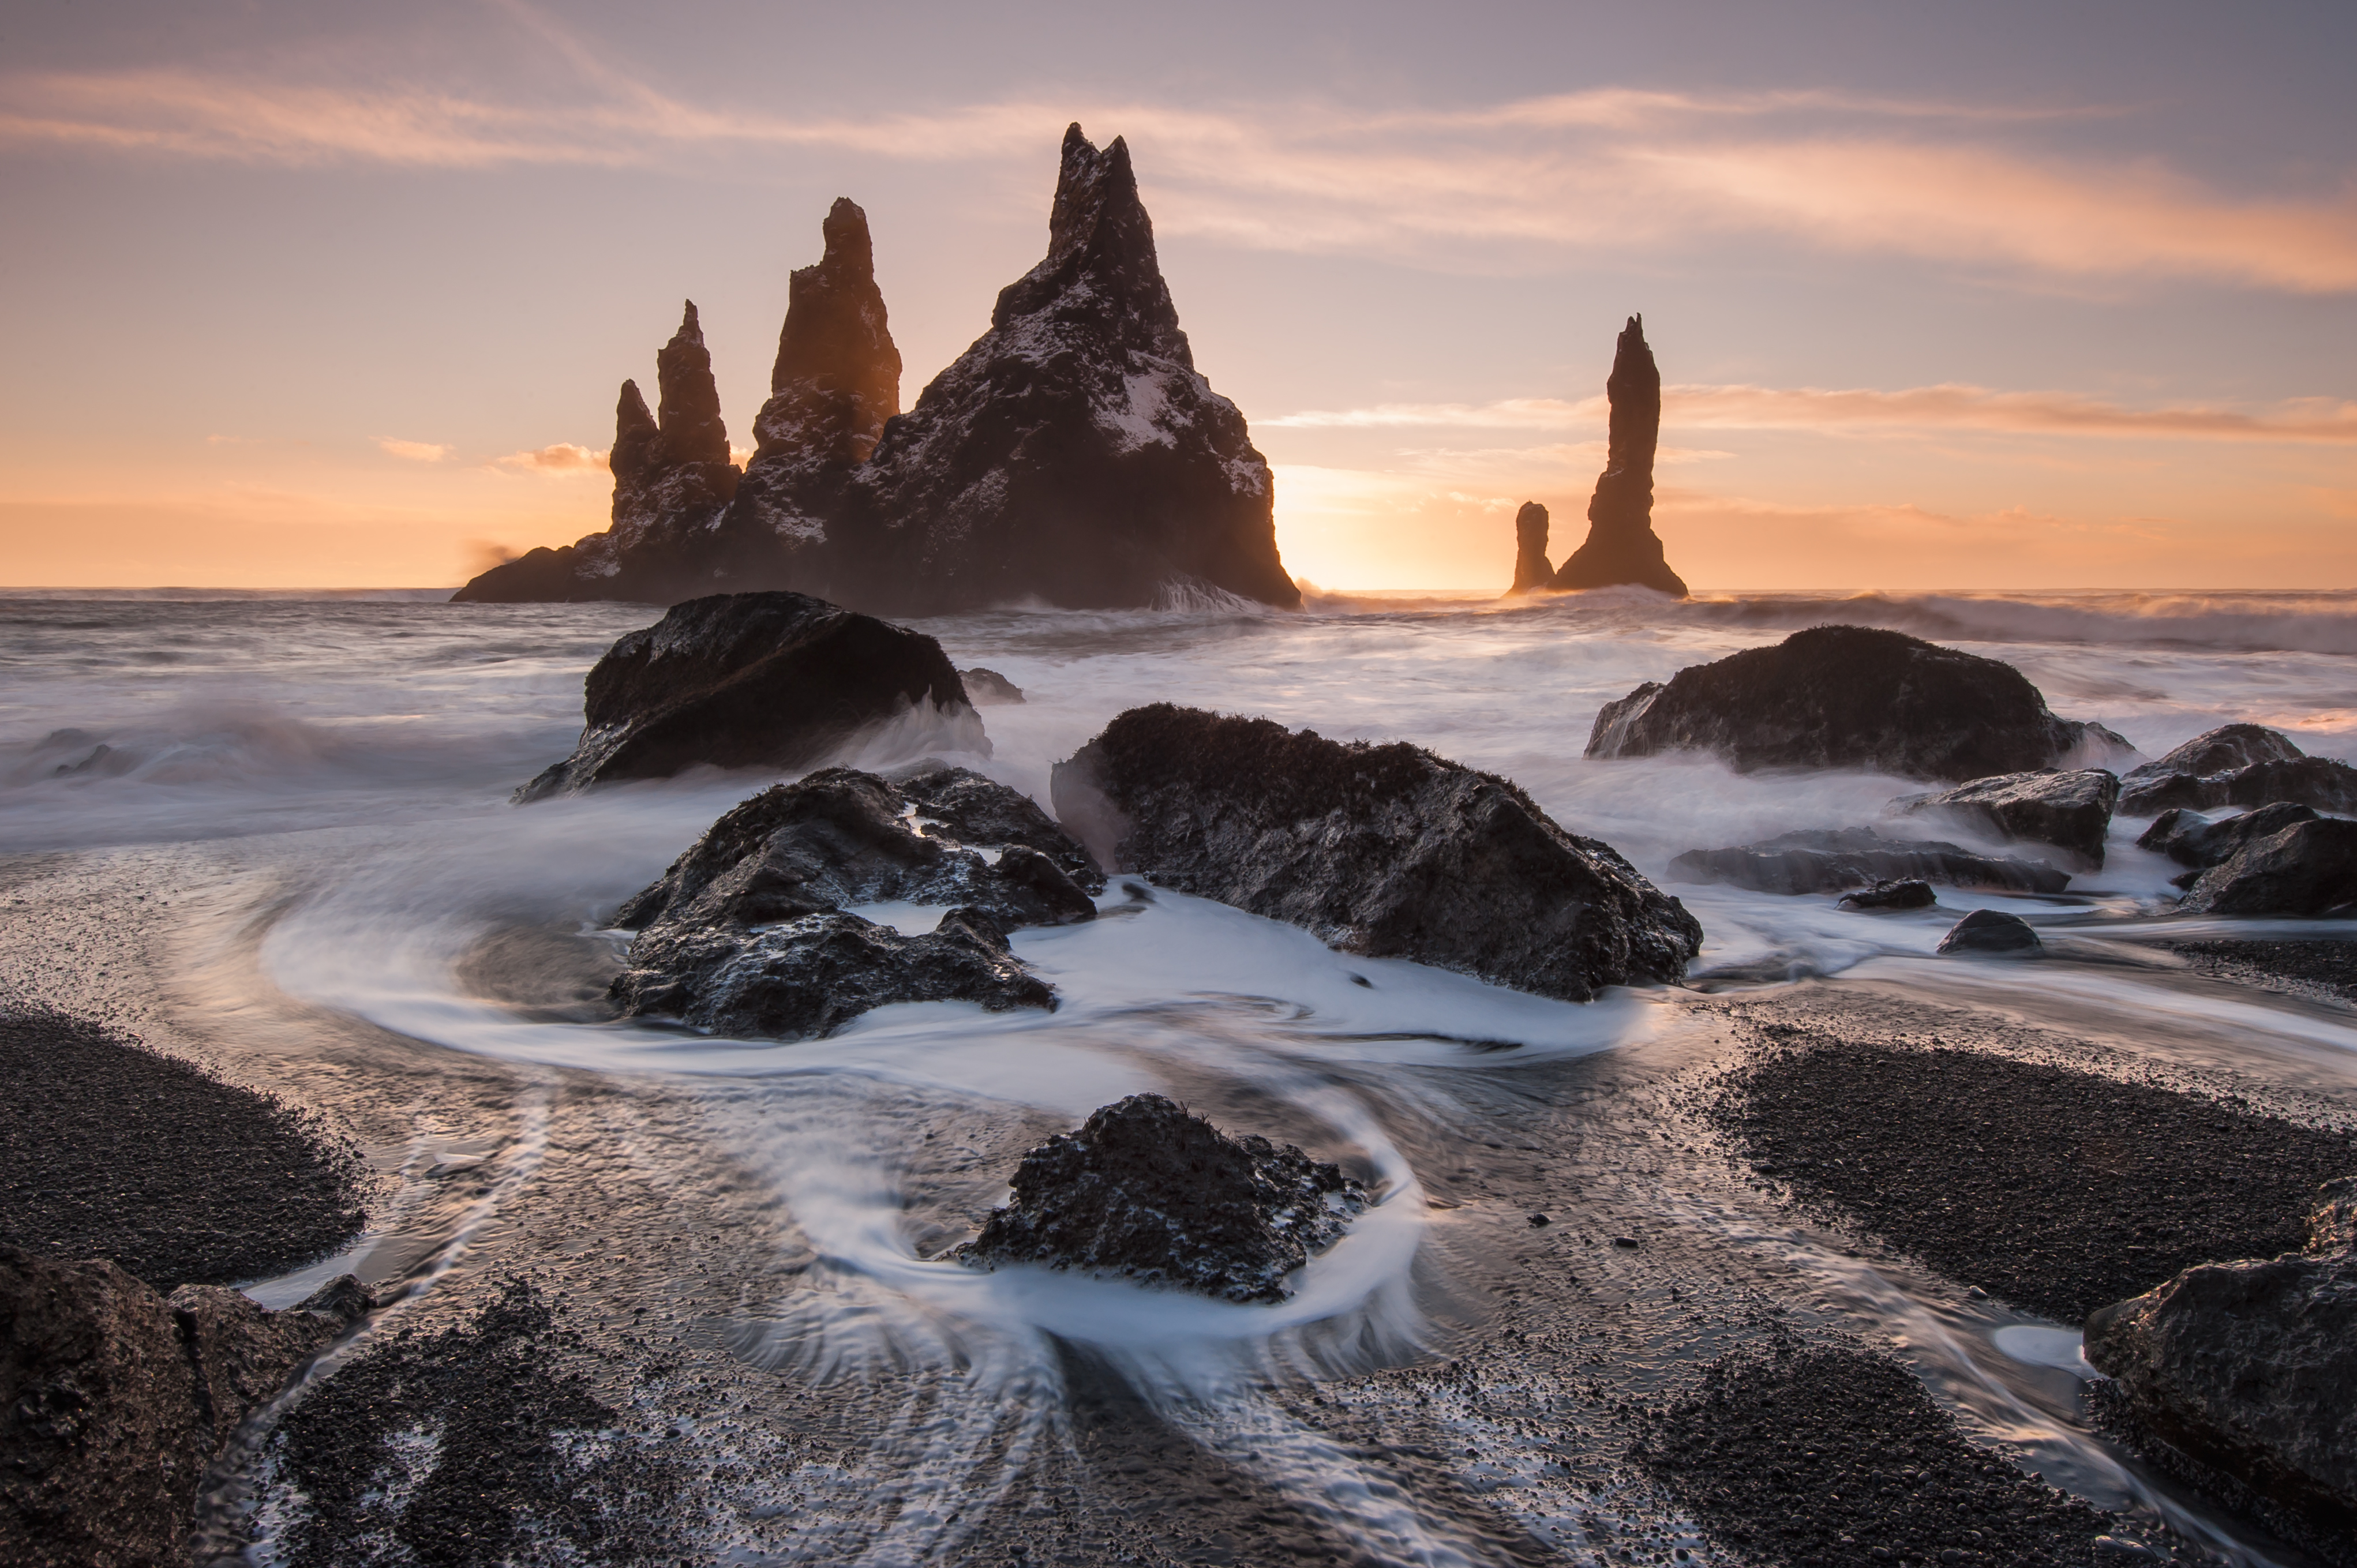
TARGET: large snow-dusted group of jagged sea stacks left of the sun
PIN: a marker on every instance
(1074, 456)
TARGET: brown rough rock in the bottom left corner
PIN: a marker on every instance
(117, 1399)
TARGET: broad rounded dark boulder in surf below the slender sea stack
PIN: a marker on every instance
(1851, 699)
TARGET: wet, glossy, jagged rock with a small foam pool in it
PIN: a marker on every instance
(751, 933)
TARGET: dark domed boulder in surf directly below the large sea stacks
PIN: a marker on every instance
(751, 683)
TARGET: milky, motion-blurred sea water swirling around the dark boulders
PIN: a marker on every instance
(322, 789)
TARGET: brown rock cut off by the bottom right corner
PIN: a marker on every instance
(2250, 1373)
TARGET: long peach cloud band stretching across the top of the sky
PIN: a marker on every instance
(1470, 190)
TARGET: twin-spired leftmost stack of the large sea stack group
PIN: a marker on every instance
(671, 487)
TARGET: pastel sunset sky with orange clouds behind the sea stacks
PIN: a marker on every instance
(1969, 296)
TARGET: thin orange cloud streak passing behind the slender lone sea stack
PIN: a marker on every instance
(1948, 407)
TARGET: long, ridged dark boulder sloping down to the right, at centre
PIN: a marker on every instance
(1380, 850)
